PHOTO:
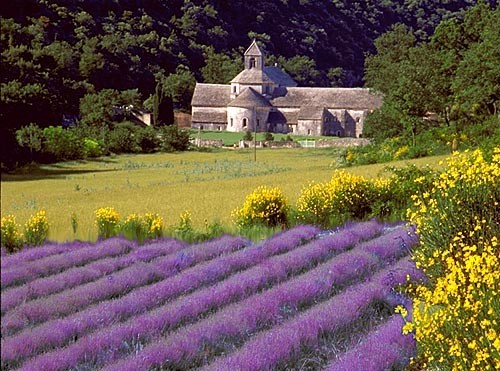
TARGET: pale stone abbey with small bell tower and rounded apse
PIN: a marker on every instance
(265, 99)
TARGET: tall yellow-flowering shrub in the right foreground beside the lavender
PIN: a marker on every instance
(455, 314)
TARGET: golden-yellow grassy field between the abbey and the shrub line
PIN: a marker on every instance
(210, 185)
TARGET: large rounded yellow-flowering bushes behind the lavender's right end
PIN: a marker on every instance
(344, 197)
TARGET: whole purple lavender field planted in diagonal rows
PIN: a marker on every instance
(302, 299)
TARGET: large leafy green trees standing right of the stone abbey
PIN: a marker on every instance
(454, 75)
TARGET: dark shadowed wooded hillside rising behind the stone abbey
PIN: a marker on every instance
(55, 53)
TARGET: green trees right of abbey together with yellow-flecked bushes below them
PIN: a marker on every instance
(439, 94)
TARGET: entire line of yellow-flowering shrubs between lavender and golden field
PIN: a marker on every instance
(328, 204)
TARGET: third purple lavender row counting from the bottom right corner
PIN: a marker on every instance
(248, 315)
